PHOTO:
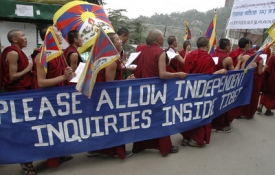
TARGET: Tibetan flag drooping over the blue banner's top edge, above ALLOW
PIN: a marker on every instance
(103, 53)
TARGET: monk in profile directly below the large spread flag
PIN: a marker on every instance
(71, 54)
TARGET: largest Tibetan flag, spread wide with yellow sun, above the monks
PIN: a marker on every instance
(84, 17)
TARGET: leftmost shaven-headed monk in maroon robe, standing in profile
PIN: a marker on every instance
(16, 71)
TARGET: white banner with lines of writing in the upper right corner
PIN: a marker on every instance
(252, 14)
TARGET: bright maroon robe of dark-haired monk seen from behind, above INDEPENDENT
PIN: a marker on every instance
(199, 61)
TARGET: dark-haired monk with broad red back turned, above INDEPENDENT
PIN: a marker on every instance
(199, 61)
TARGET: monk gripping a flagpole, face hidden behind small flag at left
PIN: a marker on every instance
(58, 74)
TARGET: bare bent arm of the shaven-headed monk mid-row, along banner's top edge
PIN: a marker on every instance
(163, 74)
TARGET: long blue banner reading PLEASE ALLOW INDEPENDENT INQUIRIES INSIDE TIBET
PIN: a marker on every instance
(51, 122)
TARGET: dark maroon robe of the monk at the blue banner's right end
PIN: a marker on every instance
(250, 109)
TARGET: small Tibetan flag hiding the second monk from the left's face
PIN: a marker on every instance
(50, 49)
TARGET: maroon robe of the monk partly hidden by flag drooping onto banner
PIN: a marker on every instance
(117, 150)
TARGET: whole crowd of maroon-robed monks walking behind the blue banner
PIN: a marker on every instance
(19, 74)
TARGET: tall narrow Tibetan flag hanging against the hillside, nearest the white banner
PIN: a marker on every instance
(211, 34)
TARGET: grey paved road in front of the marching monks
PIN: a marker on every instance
(248, 150)
